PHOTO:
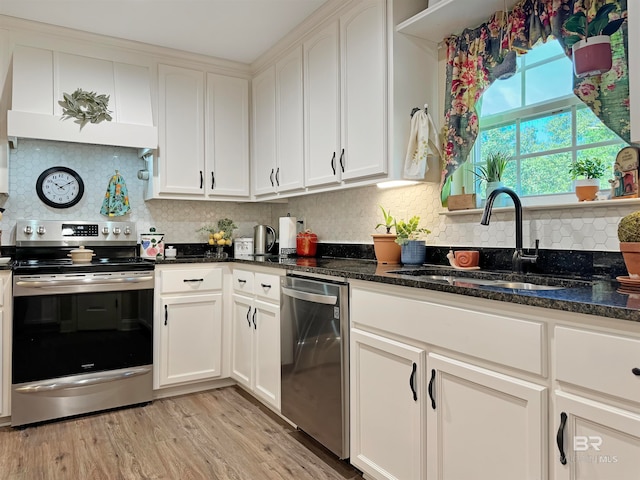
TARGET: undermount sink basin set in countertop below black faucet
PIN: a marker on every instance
(464, 279)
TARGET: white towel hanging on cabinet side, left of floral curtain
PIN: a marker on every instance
(423, 144)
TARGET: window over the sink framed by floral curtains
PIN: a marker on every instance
(535, 117)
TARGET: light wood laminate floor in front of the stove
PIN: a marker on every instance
(220, 434)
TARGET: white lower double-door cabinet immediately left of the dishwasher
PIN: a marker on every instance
(255, 334)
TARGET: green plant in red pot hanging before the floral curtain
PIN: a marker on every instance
(591, 42)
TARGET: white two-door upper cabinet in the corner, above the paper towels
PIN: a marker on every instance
(277, 127)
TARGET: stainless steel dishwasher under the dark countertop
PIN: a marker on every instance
(314, 316)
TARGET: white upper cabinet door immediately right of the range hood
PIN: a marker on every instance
(181, 130)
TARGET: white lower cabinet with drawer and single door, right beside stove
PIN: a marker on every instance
(187, 325)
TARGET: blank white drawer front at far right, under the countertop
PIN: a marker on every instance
(598, 361)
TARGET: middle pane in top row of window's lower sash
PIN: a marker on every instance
(545, 133)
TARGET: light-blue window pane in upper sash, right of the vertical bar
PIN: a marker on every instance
(549, 81)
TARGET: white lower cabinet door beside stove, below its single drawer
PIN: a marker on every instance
(191, 333)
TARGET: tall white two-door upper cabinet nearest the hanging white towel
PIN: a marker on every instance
(345, 97)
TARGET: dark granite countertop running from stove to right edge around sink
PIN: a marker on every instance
(595, 296)
